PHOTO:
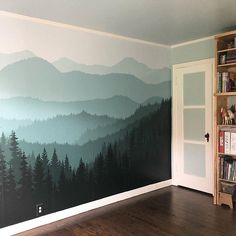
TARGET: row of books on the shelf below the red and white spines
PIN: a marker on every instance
(228, 168)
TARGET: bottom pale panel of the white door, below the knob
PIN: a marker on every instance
(194, 159)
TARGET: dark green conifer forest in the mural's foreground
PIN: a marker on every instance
(141, 157)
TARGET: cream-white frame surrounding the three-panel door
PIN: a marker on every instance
(175, 147)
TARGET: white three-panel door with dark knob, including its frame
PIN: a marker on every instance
(192, 124)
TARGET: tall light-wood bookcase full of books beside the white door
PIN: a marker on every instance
(225, 138)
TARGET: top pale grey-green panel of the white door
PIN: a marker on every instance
(194, 89)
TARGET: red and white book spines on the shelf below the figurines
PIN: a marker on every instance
(227, 141)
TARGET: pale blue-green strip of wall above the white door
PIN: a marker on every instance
(193, 52)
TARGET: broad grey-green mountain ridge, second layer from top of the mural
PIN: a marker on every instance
(35, 77)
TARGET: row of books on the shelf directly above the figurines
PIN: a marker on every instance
(226, 82)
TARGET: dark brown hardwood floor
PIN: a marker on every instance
(169, 211)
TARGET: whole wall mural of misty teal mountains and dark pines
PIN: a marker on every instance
(77, 130)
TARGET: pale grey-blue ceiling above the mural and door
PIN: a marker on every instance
(161, 21)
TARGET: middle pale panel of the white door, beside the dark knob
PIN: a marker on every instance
(194, 124)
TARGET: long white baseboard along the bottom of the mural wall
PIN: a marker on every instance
(43, 220)
